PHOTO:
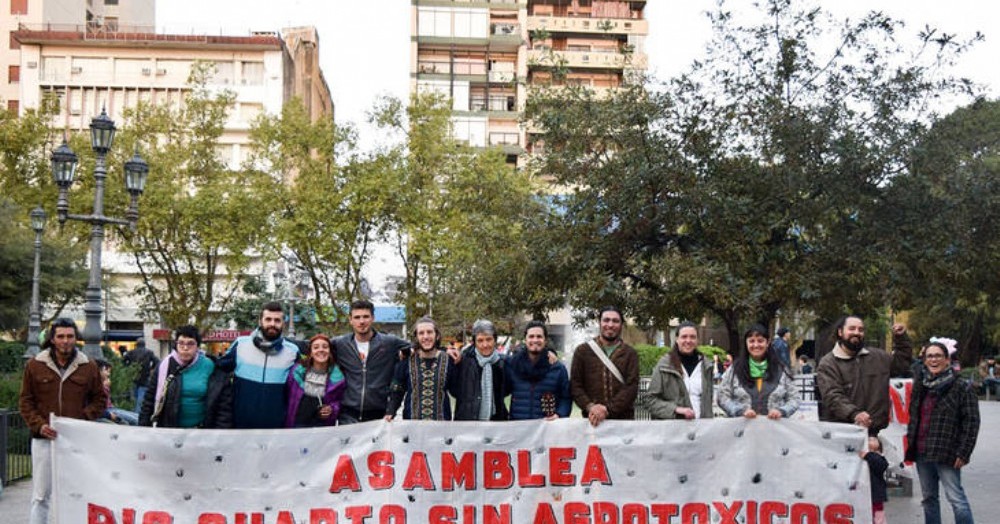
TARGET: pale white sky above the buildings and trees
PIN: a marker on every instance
(364, 45)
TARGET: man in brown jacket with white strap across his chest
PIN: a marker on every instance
(604, 379)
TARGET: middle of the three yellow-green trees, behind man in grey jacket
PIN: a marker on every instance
(331, 208)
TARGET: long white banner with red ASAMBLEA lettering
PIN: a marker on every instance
(719, 471)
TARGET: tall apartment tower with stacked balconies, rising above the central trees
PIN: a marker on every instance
(483, 54)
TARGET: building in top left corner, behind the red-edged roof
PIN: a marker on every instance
(93, 16)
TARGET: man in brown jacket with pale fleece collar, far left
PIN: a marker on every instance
(62, 381)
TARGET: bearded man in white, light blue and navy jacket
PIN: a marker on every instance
(260, 364)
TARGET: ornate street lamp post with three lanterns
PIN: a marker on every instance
(102, 134)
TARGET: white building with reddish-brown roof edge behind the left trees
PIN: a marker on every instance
(89, 71)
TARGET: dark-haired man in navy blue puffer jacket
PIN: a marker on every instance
(539, 388)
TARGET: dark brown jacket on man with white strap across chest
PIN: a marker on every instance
(592, 383)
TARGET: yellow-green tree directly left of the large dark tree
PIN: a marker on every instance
(454, 209)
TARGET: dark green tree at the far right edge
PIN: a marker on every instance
(941, 224)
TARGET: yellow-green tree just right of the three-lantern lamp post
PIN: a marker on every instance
(201, 223)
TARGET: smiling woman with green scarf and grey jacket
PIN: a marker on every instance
(758, 383)
